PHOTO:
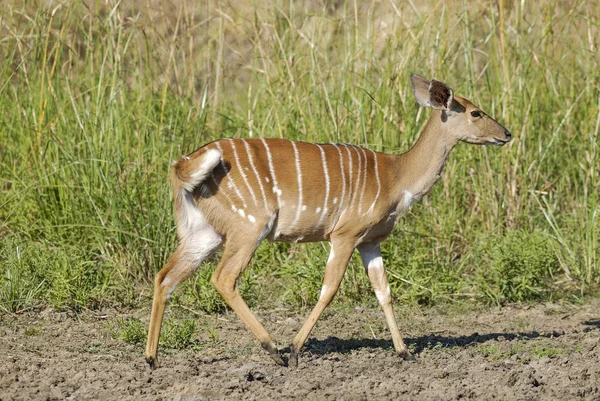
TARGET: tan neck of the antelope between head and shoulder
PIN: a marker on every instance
(420, 168)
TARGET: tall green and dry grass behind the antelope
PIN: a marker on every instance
(97, 98)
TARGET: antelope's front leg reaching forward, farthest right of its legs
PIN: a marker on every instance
(371, 257)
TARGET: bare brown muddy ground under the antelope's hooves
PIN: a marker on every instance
(542, 352)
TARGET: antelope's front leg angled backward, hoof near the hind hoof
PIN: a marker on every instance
(334, 273)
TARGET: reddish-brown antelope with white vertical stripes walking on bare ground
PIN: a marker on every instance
(237, 192)
